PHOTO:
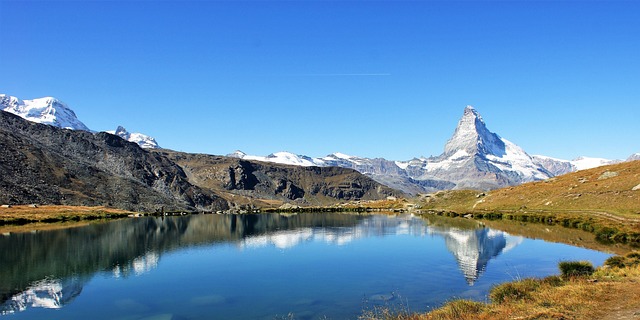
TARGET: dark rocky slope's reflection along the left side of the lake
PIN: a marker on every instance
(123, 248)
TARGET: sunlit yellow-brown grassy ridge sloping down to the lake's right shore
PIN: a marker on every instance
(603, 200)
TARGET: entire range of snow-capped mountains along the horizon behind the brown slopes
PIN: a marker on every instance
(473, 158)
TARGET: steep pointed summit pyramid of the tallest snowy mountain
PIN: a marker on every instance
(473, 137)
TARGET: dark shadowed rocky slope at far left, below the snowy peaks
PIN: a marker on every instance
(44, 164)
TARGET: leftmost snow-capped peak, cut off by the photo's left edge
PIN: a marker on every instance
(47, 110)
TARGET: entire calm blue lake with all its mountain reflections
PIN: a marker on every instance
(266, 266)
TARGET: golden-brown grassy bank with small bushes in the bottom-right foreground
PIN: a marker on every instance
(611, 292)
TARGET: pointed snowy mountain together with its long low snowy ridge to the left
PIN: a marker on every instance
(474, 157)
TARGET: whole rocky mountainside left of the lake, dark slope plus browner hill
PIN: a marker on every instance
(48, 165)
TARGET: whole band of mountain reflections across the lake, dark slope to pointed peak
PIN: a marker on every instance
(49, 268)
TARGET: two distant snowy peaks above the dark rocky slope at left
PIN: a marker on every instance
(54, 112)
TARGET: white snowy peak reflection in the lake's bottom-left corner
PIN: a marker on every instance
(52, 294)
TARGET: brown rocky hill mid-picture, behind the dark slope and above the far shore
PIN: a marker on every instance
(260, 183)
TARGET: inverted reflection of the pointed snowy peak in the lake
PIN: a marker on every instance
(473, 248)
